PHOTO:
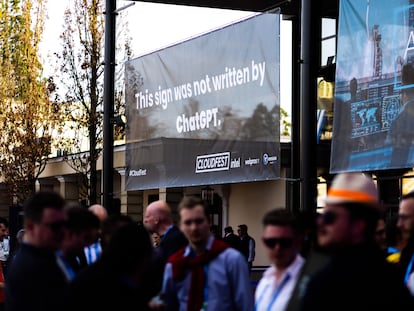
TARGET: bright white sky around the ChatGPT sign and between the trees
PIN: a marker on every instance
(154, 26)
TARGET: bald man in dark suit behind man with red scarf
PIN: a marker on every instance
(158, 218)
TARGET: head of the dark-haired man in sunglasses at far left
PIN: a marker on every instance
(44, 219)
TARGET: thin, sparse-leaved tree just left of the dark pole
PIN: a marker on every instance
(81, 73)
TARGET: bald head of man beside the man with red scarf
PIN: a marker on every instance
(158, 217)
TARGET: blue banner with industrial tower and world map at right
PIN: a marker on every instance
(374, 90)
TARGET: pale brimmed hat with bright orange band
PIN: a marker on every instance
(352, 188)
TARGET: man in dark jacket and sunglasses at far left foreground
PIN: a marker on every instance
(34, 280)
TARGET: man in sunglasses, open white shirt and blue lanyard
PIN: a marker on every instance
(282, 238)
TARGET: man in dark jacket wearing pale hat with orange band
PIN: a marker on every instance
(349, 272)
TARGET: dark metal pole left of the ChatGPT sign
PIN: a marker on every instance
(109, 94)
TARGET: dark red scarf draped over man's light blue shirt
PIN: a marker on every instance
(181, 264)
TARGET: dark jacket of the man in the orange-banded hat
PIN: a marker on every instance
(354, 278)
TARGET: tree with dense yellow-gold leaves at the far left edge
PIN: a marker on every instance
(28, 118)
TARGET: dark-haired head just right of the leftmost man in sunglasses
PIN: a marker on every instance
(80, 230)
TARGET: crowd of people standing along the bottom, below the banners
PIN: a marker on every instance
(72, 258)
